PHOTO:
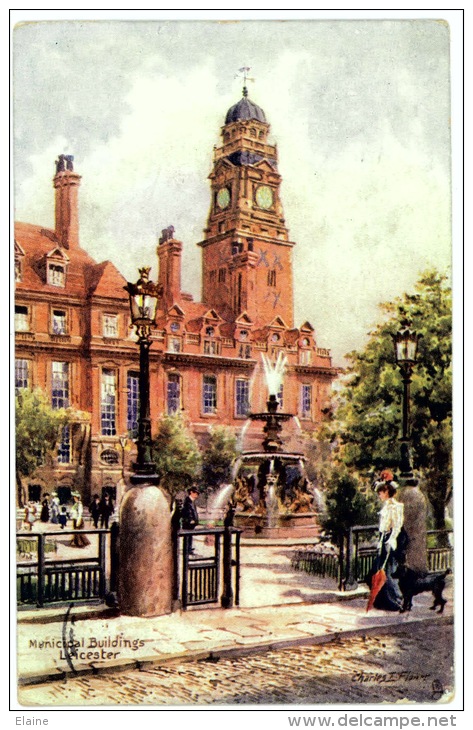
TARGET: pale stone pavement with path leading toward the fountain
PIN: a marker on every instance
(279, 607)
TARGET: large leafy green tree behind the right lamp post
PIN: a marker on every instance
(367, 414)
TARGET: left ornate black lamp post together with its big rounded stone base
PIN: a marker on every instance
(145, 547)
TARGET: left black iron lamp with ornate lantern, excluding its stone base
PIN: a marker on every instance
(144, 296)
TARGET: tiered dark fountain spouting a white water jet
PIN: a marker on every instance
(272, 496)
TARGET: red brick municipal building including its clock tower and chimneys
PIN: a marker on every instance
(72, 322)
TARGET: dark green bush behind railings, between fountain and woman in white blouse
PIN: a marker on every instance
(347, 504)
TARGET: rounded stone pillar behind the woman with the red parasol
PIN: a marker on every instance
(415, 524)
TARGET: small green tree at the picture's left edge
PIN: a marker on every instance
(37, 430)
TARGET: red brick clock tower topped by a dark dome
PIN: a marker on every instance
(246, 252)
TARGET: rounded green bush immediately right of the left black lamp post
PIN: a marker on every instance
(176, 454)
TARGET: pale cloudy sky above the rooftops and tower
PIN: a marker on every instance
(359, 109)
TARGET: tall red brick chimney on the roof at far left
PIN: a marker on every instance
(66, 183)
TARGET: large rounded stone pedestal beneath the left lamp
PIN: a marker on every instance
(146, 561)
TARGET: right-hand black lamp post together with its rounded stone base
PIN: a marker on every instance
(406, 341)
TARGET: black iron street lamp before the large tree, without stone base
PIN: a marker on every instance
(405, 346)
